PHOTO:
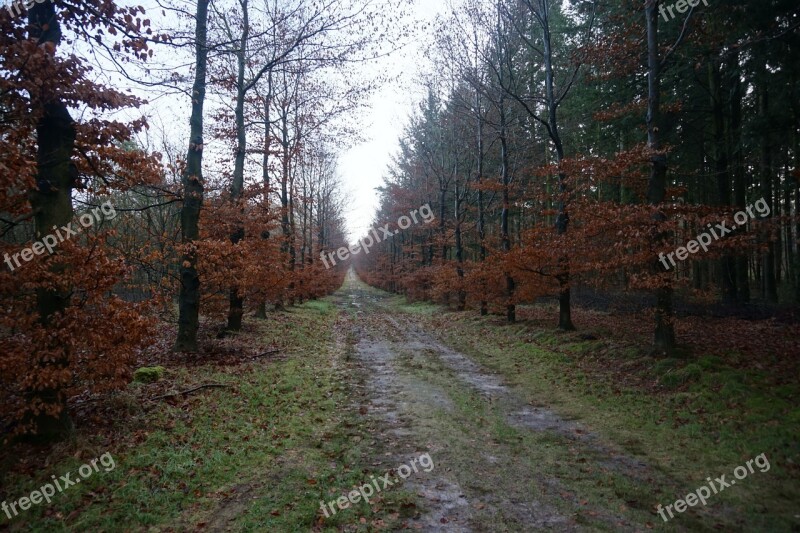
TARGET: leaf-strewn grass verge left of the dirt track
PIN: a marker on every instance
(258, 456)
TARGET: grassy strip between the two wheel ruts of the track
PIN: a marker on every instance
(555, 468)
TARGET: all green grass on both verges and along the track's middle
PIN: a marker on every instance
(262, 454)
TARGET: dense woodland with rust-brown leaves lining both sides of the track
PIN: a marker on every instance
(562, 146)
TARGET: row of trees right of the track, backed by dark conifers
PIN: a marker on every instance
(565, 143)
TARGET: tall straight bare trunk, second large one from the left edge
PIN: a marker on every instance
(189, 297)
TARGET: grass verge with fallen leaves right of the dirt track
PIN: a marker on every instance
(704, 417)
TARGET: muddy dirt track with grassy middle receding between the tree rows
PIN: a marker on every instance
(420, 396)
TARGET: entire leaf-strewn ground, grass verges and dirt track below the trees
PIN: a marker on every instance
(525, 428)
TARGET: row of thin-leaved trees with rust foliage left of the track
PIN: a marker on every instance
(236, 224)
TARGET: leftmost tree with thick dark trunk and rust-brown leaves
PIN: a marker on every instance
(53, 300)
